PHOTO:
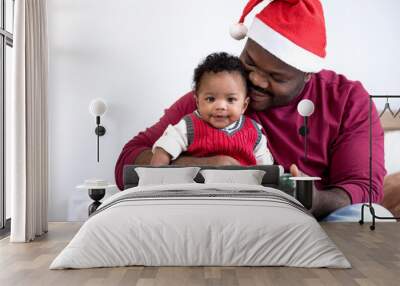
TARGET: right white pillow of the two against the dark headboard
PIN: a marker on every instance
(248, 177)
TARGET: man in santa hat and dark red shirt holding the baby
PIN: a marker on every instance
(284, 55)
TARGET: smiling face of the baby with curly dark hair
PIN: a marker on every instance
(221, 98)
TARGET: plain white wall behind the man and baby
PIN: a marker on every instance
(140, 55)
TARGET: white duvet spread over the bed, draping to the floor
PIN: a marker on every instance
(268, 228)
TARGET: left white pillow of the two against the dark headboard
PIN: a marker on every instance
(166, 176)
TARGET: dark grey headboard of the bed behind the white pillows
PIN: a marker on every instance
(270, 179)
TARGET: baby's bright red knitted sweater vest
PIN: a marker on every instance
(205, 140)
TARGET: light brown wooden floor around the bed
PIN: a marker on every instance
(374, 255)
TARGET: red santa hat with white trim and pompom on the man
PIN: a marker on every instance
(292, 30)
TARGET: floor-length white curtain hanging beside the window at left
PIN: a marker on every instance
(28, 121)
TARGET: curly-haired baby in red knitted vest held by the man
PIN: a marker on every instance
(218, 126)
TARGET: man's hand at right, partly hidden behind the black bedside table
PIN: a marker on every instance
(324, 201)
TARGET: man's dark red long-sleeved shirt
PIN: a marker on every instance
(338, 142)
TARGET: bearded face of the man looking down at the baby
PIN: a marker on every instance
(271, 81)
